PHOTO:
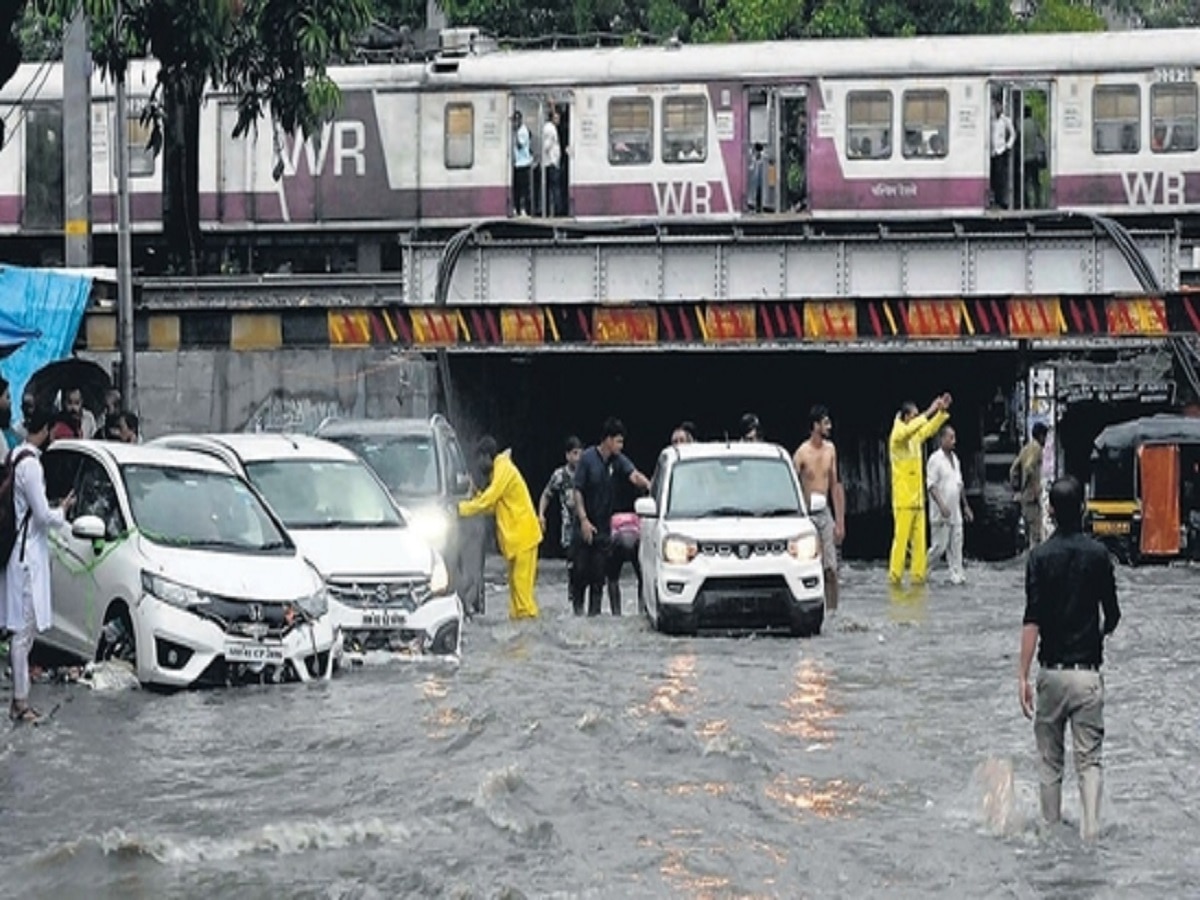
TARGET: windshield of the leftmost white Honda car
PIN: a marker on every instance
(187, 508)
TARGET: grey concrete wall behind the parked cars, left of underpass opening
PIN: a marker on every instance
(274, 391)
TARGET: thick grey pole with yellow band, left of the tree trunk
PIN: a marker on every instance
(77, 142)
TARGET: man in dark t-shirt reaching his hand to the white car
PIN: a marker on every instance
(595, 490)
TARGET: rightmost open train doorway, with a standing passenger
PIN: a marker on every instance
(1022, 179)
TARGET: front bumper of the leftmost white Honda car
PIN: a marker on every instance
(179, 649)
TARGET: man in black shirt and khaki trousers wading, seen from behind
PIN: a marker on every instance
(1071, 607)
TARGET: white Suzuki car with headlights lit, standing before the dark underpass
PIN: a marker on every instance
(727, 544)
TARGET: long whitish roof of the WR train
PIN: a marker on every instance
(982, 56)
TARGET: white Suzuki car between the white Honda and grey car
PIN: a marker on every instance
(391, 590)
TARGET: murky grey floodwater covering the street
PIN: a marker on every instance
(575, 758)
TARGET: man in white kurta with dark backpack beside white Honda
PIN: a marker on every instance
(27, 583)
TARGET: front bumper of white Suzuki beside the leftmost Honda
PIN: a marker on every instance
(433, 629)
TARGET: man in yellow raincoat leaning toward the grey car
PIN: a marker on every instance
(518, 530)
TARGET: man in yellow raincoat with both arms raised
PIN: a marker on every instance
(909, 435)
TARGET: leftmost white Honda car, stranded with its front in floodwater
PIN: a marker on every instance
(176, 566)
